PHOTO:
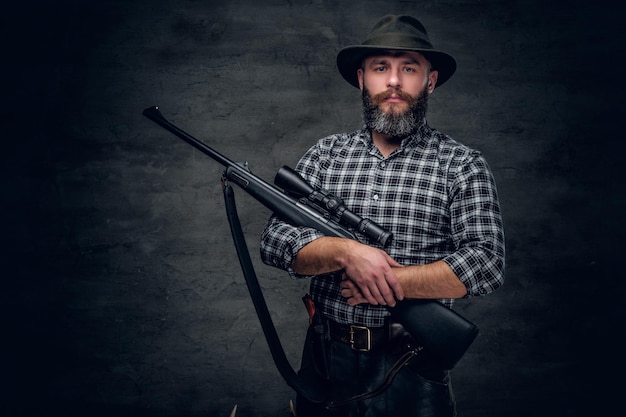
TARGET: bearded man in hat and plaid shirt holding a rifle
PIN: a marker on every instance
(438, 198)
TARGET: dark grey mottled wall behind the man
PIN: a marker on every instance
(121, 292)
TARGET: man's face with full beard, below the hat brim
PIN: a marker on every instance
(395, 91)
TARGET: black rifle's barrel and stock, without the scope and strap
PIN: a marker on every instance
(446, 334)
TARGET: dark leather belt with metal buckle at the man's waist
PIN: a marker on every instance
(359, 338)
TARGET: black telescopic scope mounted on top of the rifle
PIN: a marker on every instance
(293, 183)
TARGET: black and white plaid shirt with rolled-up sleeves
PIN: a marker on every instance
(436, 196)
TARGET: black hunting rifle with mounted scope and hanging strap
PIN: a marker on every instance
(444, 333)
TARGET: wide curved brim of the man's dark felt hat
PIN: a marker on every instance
(350, 59)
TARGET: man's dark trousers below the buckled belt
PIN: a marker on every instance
(417, 391)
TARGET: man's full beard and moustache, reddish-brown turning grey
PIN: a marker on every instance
(394, 122)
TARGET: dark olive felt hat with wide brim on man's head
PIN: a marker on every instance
(395, 32)
